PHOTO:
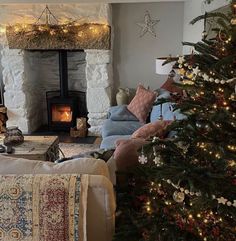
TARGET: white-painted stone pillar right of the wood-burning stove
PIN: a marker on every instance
(99, 87)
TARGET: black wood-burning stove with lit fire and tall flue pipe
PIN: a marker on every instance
(64, 106)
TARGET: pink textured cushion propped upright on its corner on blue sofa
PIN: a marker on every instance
(141, 103)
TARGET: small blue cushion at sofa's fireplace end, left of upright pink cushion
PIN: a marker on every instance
(121, 113)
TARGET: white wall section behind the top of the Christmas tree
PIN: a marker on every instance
(192, 9)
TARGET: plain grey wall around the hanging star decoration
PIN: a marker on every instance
(134, 57)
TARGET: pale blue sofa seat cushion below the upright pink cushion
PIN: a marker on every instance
(111, 128)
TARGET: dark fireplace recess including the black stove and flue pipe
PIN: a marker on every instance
(62, 100)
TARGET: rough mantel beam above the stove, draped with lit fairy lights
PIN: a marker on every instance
(50, 34)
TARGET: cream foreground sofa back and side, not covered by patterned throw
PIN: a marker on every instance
(100, 203)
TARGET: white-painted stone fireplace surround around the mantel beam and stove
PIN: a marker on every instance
(28, 75)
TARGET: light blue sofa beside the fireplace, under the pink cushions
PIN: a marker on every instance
(121, 123)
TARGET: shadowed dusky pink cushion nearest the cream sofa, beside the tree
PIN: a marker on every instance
(126, 153)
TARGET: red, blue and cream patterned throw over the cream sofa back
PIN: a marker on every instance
(41, 207)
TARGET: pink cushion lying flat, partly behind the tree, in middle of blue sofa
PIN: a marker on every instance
(157, 128)
